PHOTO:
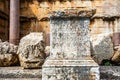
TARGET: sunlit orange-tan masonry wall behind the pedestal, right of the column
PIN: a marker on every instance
(34, 14)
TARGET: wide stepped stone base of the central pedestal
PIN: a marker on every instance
(70, 70)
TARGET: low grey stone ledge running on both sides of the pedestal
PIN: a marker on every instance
(18, 73)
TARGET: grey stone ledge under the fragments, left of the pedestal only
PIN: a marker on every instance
(18, 73)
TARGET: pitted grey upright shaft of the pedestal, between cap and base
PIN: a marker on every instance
(69, 40)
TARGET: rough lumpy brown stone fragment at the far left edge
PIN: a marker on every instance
(8, 54)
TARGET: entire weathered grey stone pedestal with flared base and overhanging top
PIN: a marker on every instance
(70, 57)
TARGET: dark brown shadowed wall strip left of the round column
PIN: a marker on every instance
(4, 19)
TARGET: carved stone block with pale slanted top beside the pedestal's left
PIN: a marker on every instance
(31, 50)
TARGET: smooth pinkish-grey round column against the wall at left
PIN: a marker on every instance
(14, 22)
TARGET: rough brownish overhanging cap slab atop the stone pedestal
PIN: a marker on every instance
(73, 12)
